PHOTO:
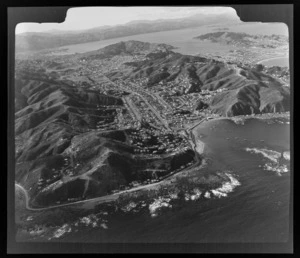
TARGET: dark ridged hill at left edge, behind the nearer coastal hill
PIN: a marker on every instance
(46, 102)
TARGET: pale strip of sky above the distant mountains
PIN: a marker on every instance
(81, 18)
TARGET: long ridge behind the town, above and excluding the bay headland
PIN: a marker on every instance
(206, 74)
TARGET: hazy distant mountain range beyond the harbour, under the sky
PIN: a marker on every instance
(34, 41)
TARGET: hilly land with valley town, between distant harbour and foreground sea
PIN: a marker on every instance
(95, 123)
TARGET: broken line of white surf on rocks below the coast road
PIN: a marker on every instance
(154, 206)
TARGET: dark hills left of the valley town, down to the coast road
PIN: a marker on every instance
(60, 153)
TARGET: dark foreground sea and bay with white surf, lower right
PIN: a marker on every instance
(253, 206)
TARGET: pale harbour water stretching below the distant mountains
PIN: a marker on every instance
(184, 40)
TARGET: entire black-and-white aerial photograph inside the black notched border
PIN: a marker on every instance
(152, 124)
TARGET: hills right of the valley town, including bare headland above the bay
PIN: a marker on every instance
(246, 90)
